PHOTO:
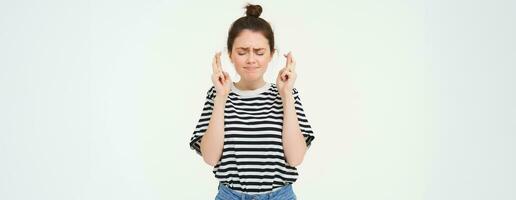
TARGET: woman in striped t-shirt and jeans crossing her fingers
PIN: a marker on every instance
(253, 132)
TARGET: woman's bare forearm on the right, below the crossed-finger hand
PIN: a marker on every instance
(294, 145)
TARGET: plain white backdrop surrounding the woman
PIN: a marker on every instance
(408, 99)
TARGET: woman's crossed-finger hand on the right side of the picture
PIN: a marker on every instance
(287, 76)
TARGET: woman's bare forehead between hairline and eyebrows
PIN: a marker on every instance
(251, 39)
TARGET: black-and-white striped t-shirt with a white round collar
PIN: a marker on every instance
(252, 158)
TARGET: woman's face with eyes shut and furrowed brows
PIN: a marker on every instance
(251, 55)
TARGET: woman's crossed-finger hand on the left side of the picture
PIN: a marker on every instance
(220, 78)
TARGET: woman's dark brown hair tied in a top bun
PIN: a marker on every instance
(251, 21)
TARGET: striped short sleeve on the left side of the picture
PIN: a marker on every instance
(202, 124)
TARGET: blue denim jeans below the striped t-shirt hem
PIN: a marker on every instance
(284, 193)
